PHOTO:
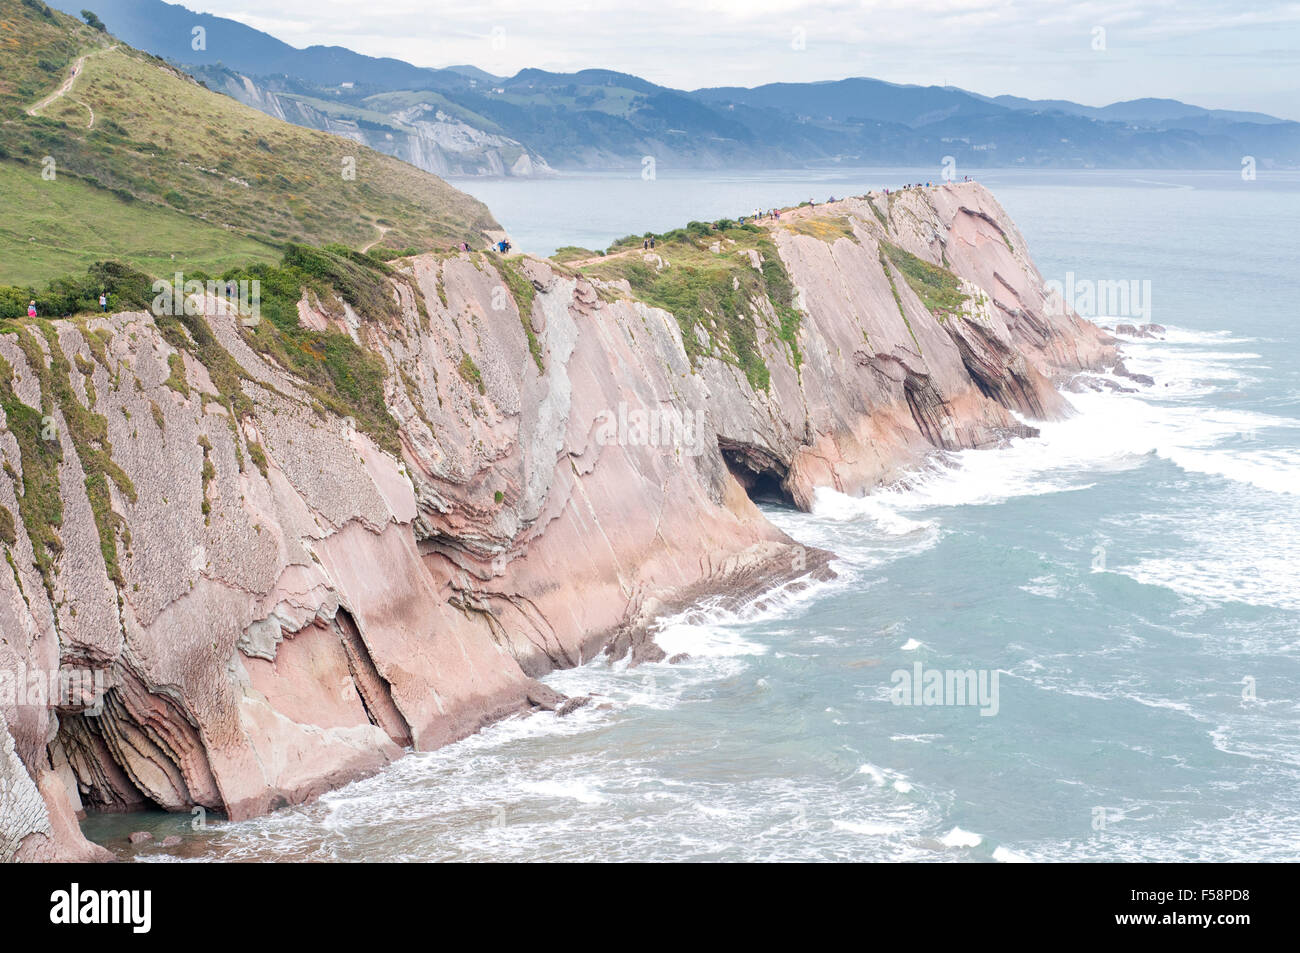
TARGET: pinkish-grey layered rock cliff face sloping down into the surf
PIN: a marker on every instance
(268, 636)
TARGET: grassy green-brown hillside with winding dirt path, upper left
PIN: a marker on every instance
(144, 155)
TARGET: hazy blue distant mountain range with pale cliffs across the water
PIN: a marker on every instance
(462, 120)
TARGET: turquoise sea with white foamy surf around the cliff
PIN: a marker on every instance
(1133, 579)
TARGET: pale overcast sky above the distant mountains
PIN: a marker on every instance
(1220, 54)
